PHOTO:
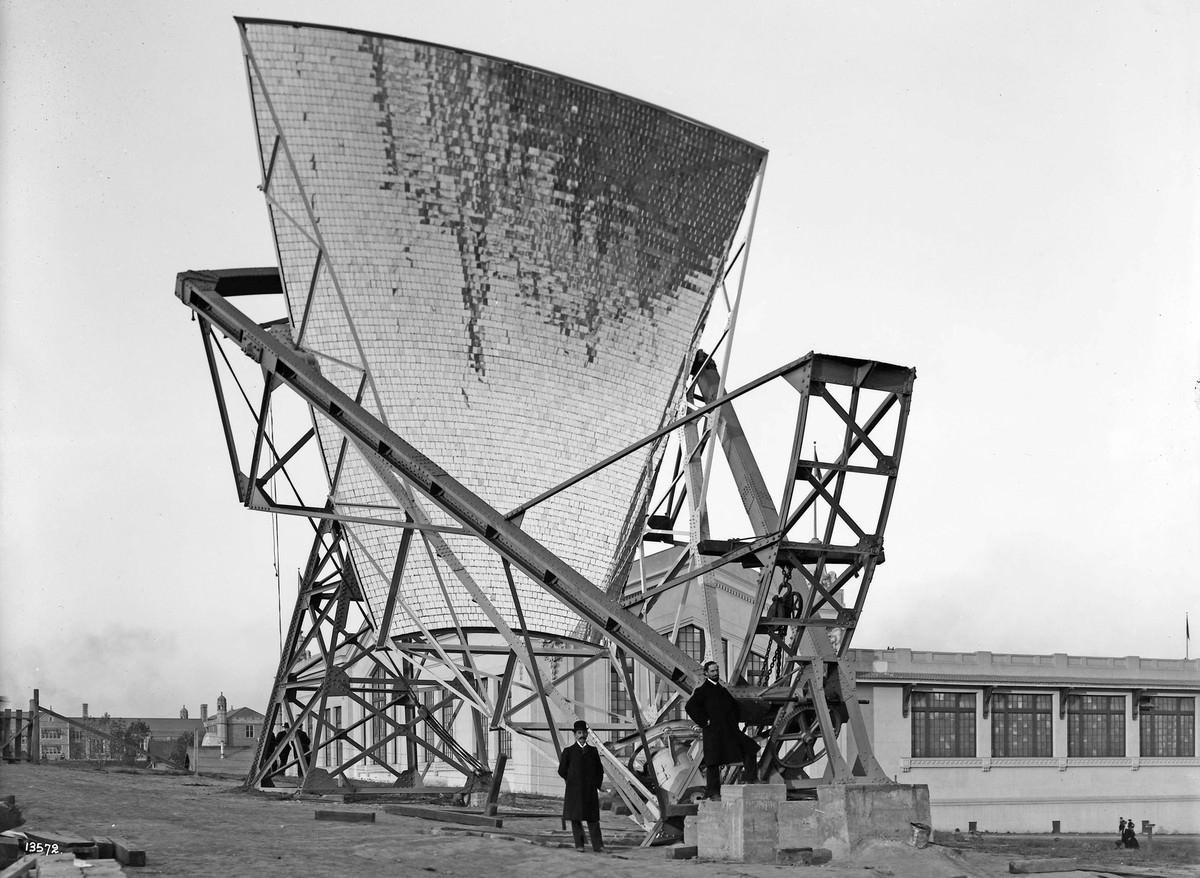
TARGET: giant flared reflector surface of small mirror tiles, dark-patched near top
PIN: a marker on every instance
(509, 268)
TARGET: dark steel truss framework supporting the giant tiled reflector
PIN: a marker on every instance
(802, 614)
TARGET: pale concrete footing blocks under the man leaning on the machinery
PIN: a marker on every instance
(753, 823)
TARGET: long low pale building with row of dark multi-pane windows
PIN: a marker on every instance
(1033, 743)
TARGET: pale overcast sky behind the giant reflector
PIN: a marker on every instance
(1001, 195)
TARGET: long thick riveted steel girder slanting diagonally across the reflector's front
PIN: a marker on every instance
(506, 538)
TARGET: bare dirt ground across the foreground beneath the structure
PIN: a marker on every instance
(208, 827)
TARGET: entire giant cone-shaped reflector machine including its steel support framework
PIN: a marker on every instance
(495, 282)
